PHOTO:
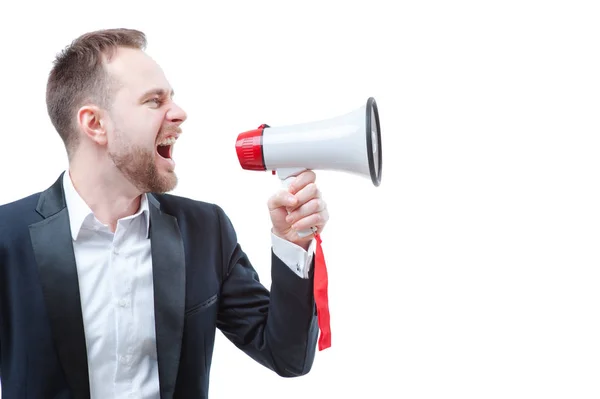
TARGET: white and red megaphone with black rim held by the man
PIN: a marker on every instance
(347, 143)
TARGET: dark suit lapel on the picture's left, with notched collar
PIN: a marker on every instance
(53, 249)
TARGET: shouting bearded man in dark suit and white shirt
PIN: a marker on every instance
(111, 288)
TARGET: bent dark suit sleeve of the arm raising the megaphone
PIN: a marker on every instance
(277, 328)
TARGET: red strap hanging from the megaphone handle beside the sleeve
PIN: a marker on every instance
(321, 298)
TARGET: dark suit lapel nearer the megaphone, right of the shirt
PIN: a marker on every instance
(168, 268)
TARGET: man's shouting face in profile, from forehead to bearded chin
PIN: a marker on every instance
(143, 122)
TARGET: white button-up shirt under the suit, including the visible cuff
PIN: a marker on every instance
(117, 301)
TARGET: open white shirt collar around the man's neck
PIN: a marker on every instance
(79, 211)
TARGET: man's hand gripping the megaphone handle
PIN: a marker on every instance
(298, 208)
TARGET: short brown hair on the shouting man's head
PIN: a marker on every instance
(78, 76)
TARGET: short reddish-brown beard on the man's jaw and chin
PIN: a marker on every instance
(138, 166)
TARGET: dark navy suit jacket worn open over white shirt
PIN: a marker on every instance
(202, 280)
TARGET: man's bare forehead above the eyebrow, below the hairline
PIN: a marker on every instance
(136, 72)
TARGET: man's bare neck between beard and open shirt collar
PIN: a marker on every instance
(105, 190)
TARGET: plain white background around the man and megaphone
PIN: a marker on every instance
(473, 270)
